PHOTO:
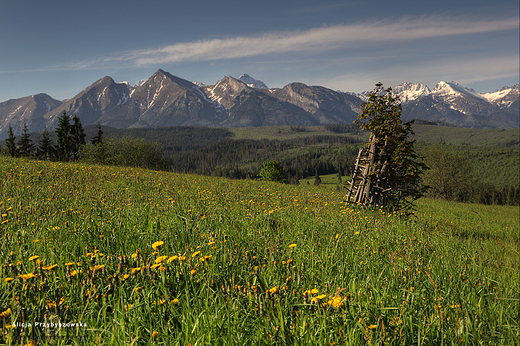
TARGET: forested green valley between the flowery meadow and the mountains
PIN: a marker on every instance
(480, 173)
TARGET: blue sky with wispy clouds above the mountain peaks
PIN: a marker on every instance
(61, 47)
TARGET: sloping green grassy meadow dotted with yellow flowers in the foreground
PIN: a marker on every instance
(102, 255)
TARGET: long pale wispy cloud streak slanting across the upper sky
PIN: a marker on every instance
(313, 40)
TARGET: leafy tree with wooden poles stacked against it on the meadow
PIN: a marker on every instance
(391, 175)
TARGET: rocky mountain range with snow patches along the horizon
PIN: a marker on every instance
(167, 100)
